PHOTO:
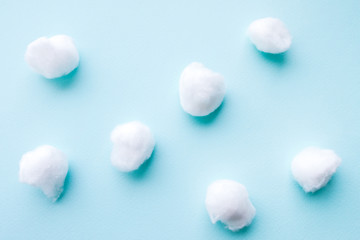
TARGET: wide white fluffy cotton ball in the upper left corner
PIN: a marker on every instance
(52, 57)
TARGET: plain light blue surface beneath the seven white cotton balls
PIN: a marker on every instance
(132, 54)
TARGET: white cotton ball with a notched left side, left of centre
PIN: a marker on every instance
(133, 145)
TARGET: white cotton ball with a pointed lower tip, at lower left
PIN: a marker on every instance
(46, 168)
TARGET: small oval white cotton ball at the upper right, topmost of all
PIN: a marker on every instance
(269, 35)
